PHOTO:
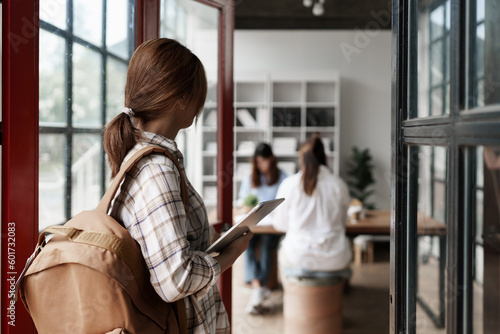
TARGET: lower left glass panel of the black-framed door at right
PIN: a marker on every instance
(426, 254)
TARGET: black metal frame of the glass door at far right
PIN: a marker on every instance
(459, 131)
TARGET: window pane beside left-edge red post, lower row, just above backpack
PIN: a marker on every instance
(52, 180)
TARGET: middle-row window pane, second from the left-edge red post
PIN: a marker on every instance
(86, 87)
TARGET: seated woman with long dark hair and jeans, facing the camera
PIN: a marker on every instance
(263, 182)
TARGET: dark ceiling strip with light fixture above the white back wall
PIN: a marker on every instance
(291, 14)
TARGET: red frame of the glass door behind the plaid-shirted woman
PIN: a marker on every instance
(148, 27)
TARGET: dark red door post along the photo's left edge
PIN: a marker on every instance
(19, 151)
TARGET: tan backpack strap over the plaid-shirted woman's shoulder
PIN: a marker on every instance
(105, 202)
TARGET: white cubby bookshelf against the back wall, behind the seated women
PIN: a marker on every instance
(281, 109)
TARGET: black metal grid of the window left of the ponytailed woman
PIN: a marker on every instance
(68, 129)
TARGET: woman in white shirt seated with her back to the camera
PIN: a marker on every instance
(313, 215)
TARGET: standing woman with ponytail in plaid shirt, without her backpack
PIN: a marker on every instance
(165, 91)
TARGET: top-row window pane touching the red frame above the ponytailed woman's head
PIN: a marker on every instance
(117, 27)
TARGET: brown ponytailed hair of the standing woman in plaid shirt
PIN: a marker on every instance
(162, 75)
